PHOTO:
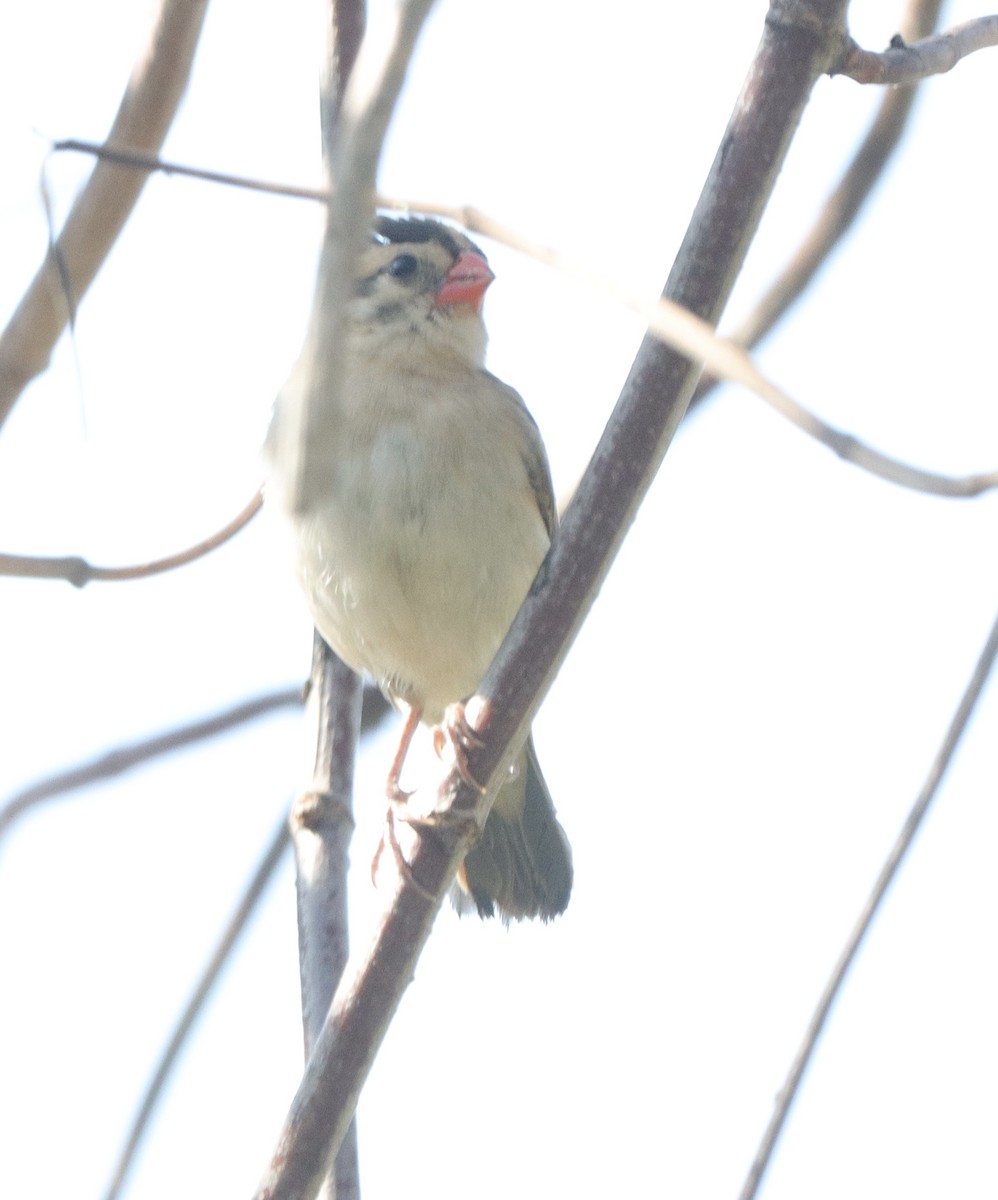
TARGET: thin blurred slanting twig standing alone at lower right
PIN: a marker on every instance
(875, 902)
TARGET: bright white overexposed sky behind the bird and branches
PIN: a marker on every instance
(732, 745)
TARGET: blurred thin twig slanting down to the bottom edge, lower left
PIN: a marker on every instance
(247, 907)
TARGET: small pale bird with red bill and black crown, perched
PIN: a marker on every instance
(432, 524)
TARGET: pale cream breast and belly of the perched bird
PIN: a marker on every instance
(430, 538)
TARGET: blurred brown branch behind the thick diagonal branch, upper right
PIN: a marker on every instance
(840, 209)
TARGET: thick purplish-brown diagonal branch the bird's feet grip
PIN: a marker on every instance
(795, 51)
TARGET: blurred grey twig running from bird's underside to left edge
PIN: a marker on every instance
(124, 759)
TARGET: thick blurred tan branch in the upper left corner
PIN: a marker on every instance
(103, 208)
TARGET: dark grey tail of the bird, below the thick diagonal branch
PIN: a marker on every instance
(522, 866)
